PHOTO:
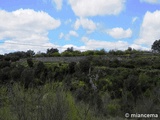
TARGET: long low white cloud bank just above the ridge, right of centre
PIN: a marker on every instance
(95, 44)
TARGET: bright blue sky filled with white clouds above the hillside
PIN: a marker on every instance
(82, 24)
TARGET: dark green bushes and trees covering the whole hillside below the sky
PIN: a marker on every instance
(95, 88)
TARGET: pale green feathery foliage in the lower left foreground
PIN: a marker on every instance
(46, 103)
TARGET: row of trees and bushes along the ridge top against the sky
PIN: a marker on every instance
(69, 52)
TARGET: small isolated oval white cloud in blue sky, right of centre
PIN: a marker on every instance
(119, 33)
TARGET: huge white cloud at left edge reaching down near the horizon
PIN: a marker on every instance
(25, 26)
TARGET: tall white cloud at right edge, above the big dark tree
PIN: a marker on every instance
(150, 29)
